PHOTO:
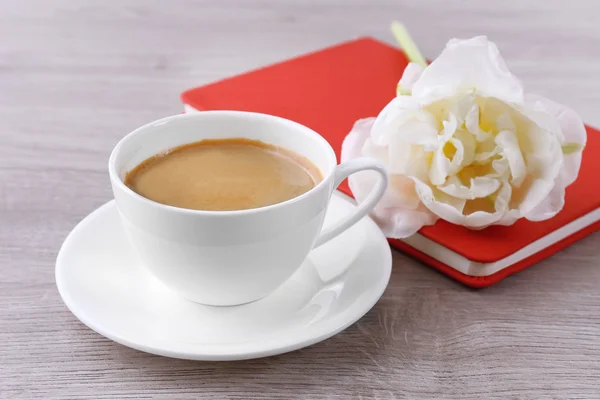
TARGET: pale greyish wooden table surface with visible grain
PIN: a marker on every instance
(75, 76)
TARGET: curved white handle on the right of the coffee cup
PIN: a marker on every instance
(343, 171)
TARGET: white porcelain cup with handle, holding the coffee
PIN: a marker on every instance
(231, 257)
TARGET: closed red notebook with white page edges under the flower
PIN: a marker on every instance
(329, 90)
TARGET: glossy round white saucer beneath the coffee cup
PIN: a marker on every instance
(102, 282)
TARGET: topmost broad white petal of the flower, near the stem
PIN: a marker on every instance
(473, 64)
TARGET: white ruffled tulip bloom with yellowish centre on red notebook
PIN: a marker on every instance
(462, 142)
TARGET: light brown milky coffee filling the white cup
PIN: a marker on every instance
(223, 175)
